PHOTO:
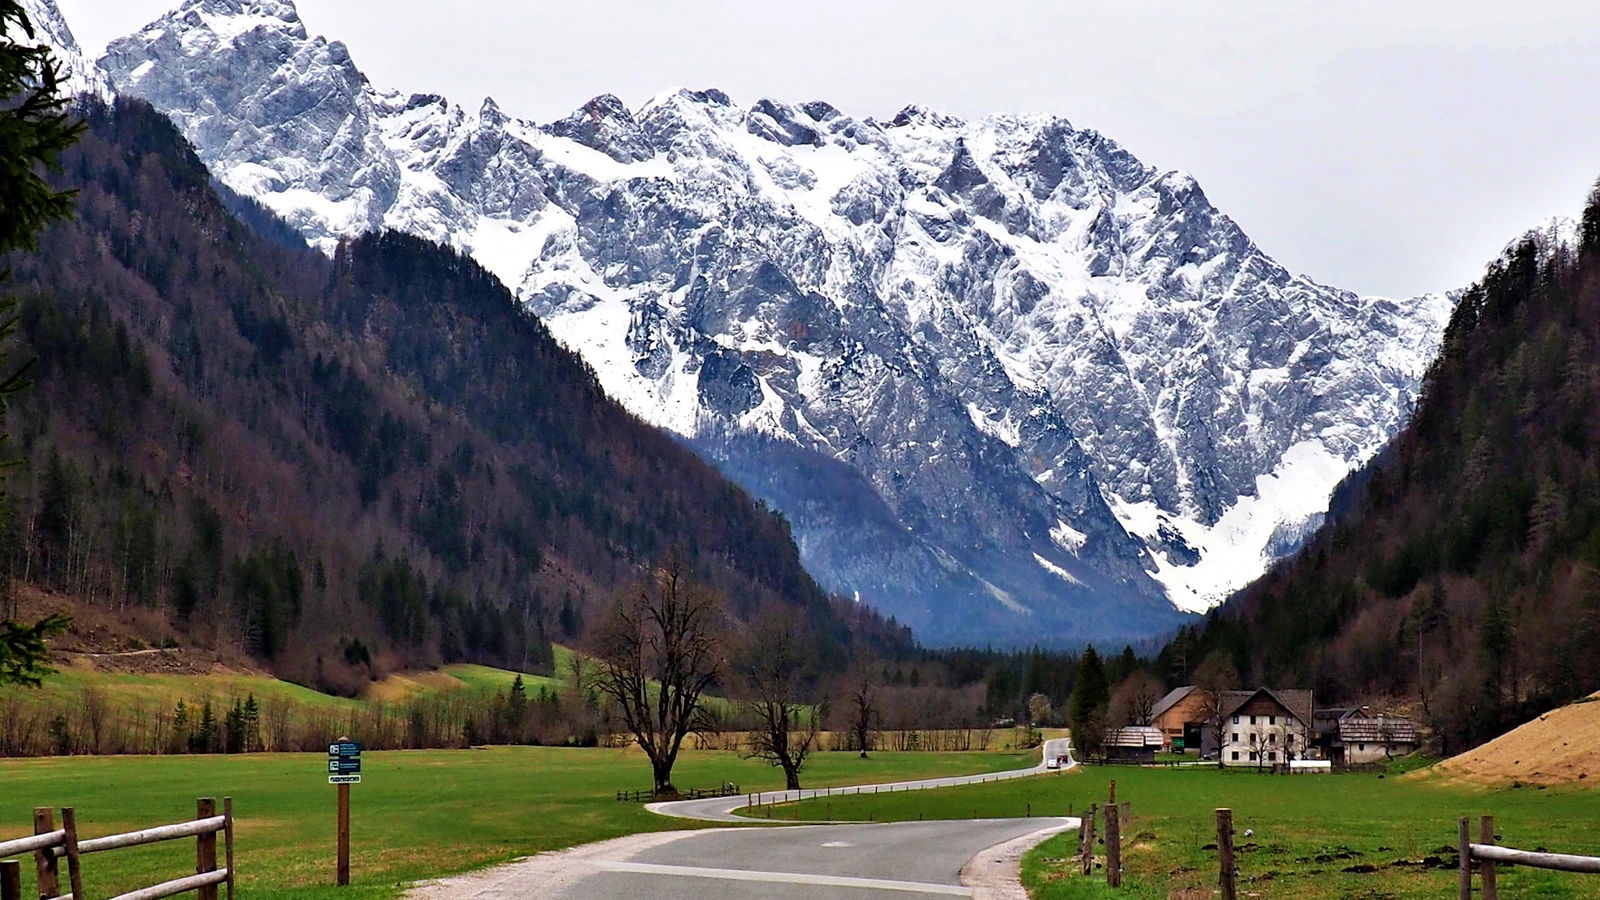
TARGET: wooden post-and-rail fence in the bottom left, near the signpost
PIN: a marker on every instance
(49, 845)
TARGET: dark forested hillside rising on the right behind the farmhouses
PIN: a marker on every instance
(1463, 566)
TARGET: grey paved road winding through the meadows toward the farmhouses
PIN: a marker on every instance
(839, 862)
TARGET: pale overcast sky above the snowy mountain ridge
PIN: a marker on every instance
(1382, 147)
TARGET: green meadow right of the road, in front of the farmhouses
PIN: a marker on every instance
(1313, 835)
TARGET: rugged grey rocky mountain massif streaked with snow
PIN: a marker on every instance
(1007, 382)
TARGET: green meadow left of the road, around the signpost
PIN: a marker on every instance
(418, 814)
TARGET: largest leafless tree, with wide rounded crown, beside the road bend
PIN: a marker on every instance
(660, 653)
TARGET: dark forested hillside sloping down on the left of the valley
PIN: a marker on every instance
(338, 465)
